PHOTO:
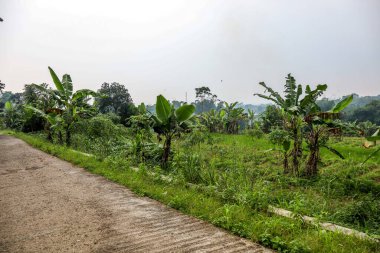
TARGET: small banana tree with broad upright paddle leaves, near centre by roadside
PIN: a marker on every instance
(169, 123)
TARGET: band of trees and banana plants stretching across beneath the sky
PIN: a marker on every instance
(297, 117)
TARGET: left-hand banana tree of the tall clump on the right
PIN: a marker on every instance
(295, 109)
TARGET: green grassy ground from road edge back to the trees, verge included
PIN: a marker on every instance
(229, 180)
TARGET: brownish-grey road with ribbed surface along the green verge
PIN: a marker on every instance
(49, 205)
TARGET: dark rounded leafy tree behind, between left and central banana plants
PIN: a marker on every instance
(115, 98)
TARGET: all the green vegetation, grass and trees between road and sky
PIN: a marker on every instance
(225, 164)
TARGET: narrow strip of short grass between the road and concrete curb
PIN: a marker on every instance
(282, 234)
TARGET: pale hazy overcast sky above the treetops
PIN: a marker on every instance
(172, 47)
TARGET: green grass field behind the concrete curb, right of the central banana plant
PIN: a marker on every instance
(338, 194)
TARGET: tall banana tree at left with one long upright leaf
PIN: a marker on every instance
(70, 105)
